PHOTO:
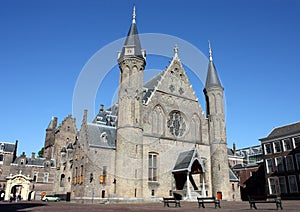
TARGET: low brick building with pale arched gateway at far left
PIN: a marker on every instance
(24, 177)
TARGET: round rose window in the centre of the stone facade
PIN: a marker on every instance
(176, 124)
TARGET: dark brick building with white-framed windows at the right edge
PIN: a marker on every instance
(281, 156)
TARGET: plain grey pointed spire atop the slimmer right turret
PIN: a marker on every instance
(212, 78)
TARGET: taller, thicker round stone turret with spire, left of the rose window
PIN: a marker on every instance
(129, 129)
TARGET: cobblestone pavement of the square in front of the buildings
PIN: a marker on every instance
(185, 206)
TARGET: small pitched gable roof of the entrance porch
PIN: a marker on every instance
(186, 159)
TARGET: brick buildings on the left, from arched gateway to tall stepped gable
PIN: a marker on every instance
(28, 178)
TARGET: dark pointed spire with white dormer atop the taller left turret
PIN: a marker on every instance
(132, 45)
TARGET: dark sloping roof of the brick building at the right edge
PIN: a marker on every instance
(287, 130)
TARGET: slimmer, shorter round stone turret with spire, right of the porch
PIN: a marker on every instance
(217, 131)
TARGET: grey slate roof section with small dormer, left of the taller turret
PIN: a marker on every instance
(101, 136)
